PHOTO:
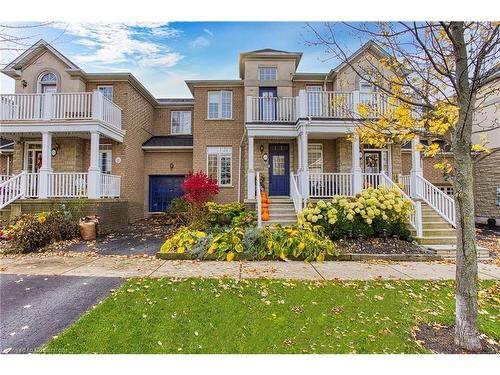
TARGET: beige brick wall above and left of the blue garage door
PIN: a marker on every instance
(158, 163)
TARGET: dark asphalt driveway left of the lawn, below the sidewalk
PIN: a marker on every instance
(35, 308)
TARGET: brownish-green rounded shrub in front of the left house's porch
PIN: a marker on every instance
(32, 232)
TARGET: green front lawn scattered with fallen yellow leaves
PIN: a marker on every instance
(267, 316)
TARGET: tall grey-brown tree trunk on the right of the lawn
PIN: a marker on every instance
(466, 332)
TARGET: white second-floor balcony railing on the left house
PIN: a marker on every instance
(60, 106)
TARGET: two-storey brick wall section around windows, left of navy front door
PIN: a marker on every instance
(222, 133)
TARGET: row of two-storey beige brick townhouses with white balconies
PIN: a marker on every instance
(105, 139)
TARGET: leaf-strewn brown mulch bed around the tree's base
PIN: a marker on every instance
(439, 339)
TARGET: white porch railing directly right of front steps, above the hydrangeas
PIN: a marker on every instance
(323, 185)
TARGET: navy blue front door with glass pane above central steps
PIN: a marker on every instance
(279, 169)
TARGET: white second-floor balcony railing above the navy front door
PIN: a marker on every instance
(340, 105)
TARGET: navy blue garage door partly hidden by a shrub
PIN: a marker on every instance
(162, 189)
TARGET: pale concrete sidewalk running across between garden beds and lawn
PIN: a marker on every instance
(106, 266)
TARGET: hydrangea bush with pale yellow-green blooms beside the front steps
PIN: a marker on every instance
(374, 212)
